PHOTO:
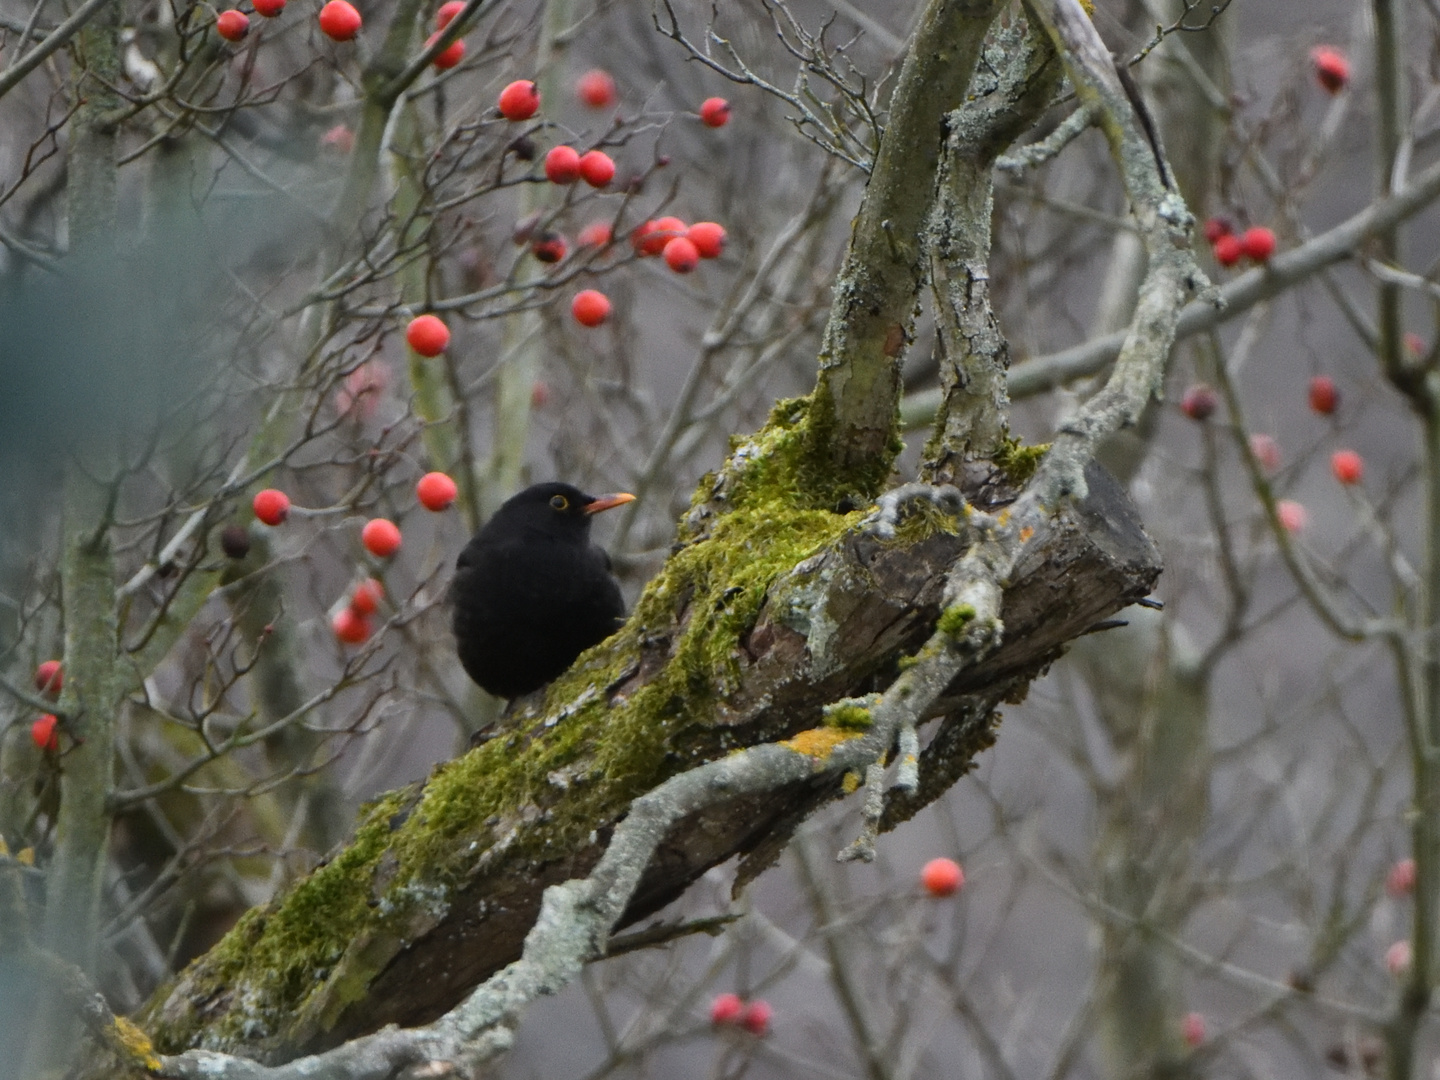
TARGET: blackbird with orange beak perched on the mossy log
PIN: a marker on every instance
(532, 593)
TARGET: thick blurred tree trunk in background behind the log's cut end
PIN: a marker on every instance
(1148, 692)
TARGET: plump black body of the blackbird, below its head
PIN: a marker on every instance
(525, 607)
